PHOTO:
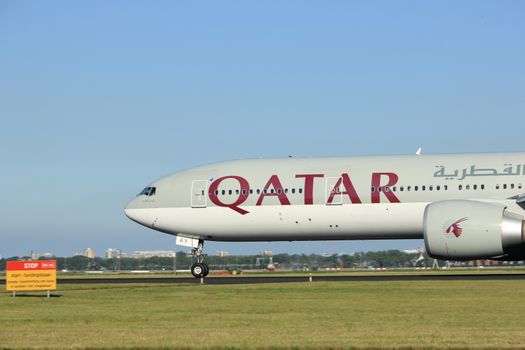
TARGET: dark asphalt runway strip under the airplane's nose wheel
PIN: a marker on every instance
(287, 279)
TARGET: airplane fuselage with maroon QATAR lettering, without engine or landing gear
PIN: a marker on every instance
(323, 198)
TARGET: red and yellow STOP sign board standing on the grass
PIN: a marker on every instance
(31, 275)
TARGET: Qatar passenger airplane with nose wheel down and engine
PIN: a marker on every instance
(464, 206)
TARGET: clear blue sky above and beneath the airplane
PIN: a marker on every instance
(98, 98)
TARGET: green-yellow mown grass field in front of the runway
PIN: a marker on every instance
(418, 315)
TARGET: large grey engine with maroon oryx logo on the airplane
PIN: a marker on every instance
(468, 230)
